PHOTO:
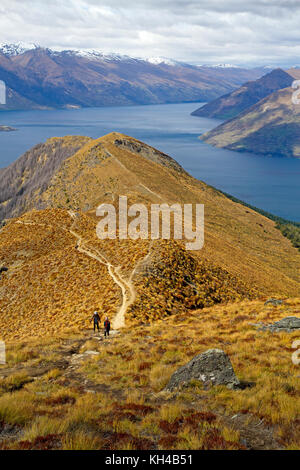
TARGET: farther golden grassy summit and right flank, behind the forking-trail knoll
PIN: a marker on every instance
(234, 236)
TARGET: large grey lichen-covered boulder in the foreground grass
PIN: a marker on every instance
(212, 366)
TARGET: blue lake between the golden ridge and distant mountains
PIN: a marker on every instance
(271, 184)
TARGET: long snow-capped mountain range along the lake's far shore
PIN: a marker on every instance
(38, 78)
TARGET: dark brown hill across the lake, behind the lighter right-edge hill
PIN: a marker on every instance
(232, 104)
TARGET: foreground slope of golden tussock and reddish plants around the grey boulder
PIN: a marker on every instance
(128, 408)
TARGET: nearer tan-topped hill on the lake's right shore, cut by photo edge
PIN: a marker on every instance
(271, 127)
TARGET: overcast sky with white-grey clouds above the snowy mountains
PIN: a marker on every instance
(252, 32)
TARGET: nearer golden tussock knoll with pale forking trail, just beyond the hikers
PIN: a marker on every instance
(59, 273)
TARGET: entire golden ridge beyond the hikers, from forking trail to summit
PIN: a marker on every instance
(59, 271)
